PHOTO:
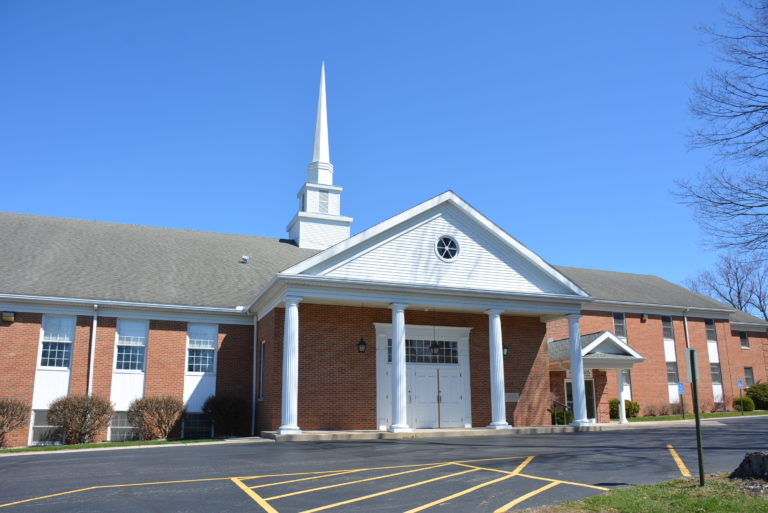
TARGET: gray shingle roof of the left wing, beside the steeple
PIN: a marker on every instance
(47, 256)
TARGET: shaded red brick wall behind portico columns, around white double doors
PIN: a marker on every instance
(337, 385)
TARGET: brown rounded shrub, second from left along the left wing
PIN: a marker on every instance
(79, 418)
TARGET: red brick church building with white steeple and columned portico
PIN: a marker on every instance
(436, 317)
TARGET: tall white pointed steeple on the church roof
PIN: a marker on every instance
(319, 224)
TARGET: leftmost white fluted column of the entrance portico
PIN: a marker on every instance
(290, 411)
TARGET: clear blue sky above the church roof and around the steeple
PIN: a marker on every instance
(564, 122)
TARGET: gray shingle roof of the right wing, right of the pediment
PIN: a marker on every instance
(637, 288)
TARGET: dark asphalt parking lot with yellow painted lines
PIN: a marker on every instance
(477, 474)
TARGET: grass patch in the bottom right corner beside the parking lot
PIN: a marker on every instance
(719, 495)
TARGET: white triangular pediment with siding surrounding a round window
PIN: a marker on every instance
(402, 250)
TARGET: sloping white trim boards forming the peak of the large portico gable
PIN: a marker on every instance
(464, 207)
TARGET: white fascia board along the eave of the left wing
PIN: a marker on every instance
(123, 309)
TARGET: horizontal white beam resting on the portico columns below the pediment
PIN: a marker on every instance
(357, 291)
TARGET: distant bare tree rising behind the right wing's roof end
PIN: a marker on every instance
(739, 282)
